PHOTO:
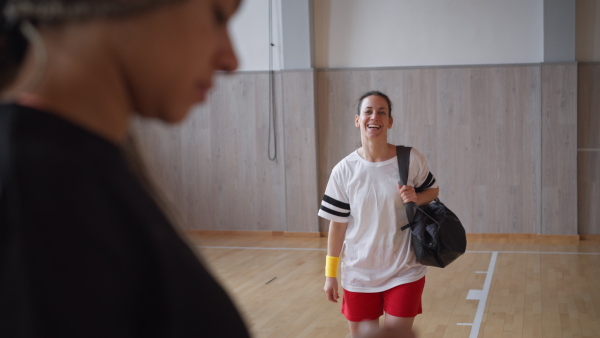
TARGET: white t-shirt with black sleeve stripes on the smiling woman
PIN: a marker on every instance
(376, 255)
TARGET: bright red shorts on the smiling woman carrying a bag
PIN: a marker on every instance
(401, 301)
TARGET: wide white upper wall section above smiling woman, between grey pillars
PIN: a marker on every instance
(387, 33)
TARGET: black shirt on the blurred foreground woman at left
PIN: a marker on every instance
(86, 252)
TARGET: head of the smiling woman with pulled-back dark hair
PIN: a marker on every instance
(374, 119)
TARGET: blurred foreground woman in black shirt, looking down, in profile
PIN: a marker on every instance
(85, 248)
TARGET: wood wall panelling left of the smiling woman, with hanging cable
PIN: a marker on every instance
(215, 166)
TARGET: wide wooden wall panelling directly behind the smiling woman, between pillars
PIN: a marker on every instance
(478, 126)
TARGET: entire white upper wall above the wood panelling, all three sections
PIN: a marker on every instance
(391, 33)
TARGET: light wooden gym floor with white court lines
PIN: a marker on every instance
(499, 288)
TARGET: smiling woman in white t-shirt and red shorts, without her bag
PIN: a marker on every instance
(379, 271)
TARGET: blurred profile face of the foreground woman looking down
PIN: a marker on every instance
(168, 56)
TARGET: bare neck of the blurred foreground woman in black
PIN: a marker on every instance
(81, 86)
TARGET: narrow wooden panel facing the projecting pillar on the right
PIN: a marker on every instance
(559, 149)
